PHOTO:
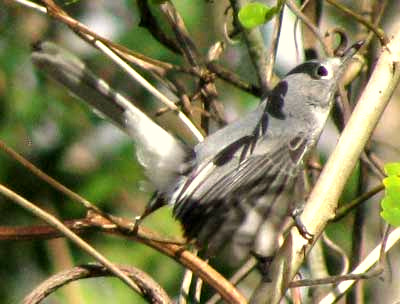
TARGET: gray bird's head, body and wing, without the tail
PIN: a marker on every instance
(243, 175)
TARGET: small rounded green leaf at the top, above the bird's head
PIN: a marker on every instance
(255, 14)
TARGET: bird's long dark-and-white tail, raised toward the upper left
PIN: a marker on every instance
(158, 152)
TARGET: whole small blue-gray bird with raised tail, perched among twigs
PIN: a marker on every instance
(234, 186)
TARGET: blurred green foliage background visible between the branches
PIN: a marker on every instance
(66, 140)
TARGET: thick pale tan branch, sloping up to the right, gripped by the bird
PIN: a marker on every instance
(323, 200)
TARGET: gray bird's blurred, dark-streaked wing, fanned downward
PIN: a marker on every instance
(217, 197)
